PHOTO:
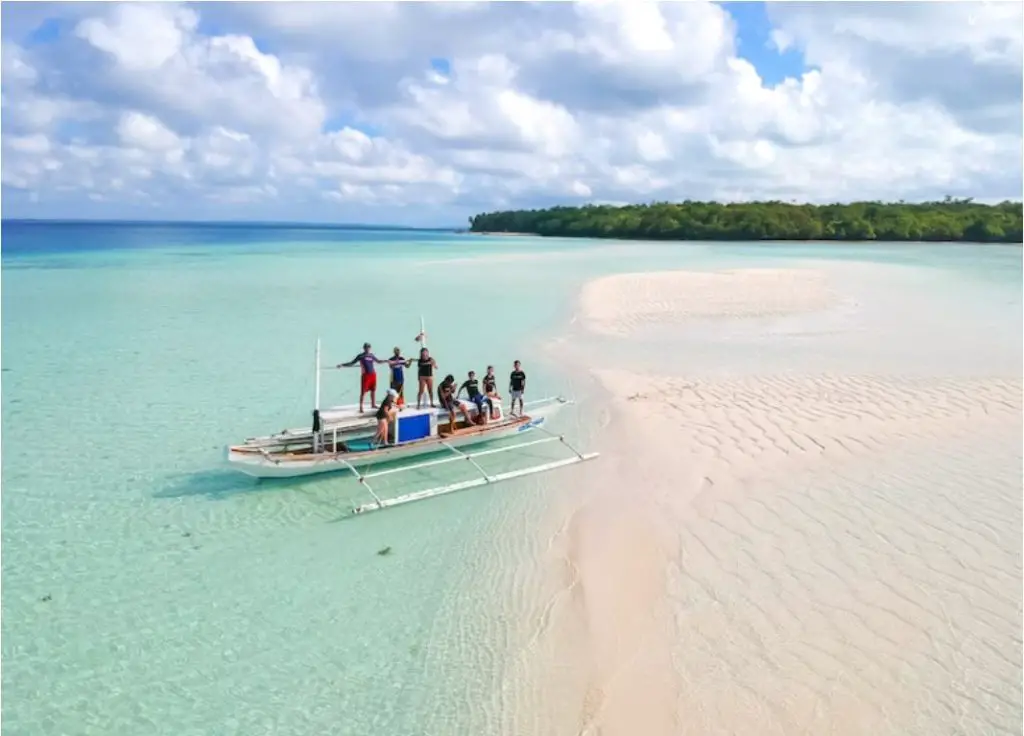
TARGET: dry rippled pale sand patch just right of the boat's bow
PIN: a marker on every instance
(741, 427)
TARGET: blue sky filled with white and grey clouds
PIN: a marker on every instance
(425, 114)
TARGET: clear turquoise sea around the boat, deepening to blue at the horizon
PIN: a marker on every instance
(148, 591)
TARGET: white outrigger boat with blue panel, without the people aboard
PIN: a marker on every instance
(343, 440)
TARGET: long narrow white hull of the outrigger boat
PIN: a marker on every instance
(255, 462)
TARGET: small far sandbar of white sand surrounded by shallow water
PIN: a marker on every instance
(619, 305)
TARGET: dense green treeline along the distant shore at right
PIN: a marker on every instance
(950, 221)
